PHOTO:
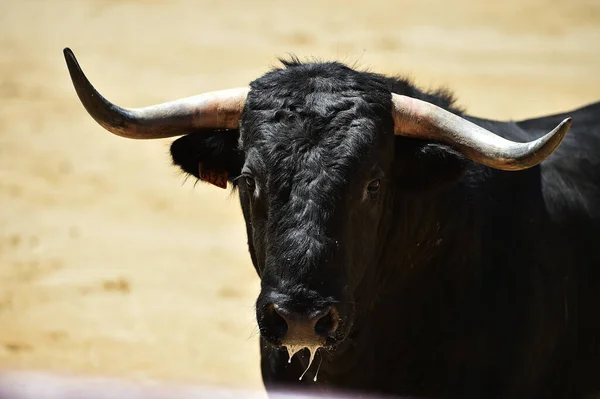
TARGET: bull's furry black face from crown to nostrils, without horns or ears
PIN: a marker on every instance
(313, 187)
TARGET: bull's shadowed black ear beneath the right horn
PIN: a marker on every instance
(426, 166)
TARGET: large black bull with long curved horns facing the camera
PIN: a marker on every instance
(409, 264)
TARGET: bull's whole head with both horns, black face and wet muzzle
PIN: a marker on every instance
(312, 151)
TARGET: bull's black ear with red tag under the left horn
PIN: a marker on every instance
(212, 157)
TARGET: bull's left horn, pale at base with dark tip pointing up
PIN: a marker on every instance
(217, 110)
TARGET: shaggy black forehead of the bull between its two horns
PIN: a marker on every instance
(317, 116)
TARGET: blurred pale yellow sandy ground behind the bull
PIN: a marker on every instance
(111, 263)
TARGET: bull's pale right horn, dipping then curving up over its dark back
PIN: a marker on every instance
(420, 119)
